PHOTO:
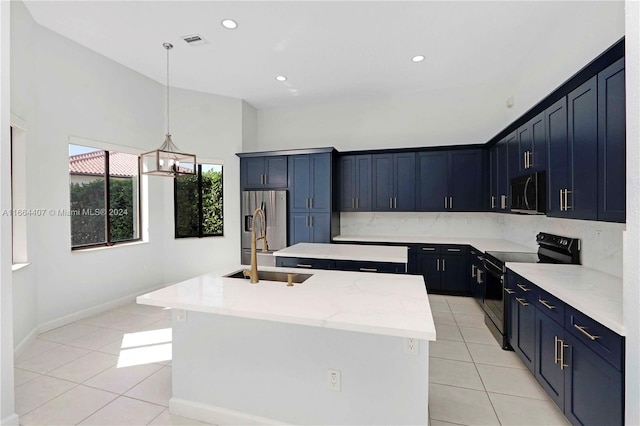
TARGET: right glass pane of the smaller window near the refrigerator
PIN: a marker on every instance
(212, 199)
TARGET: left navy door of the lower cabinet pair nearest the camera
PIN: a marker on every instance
(549, 363)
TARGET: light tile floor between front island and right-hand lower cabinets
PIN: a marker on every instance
(472, 380)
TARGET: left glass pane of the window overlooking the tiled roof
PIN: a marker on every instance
(87, 190)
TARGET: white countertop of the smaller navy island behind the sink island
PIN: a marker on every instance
(358, 252)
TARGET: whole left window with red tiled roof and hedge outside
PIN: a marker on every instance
(105, 197)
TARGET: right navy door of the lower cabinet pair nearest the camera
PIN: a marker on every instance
(593, 387)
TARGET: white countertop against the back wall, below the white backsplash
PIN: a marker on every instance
(482, 244)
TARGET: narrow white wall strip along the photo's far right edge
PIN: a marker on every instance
(631, 289)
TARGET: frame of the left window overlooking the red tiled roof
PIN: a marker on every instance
(107, 196)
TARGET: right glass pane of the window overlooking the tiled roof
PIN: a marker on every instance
(123, 196)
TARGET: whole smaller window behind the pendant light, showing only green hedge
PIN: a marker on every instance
(198, 203)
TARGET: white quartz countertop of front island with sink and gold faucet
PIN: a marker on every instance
(386, 304)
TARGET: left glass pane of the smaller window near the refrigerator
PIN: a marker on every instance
(186, 206)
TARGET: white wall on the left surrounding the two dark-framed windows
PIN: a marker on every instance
(61, 90)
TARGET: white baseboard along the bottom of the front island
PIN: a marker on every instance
(216, 415)
